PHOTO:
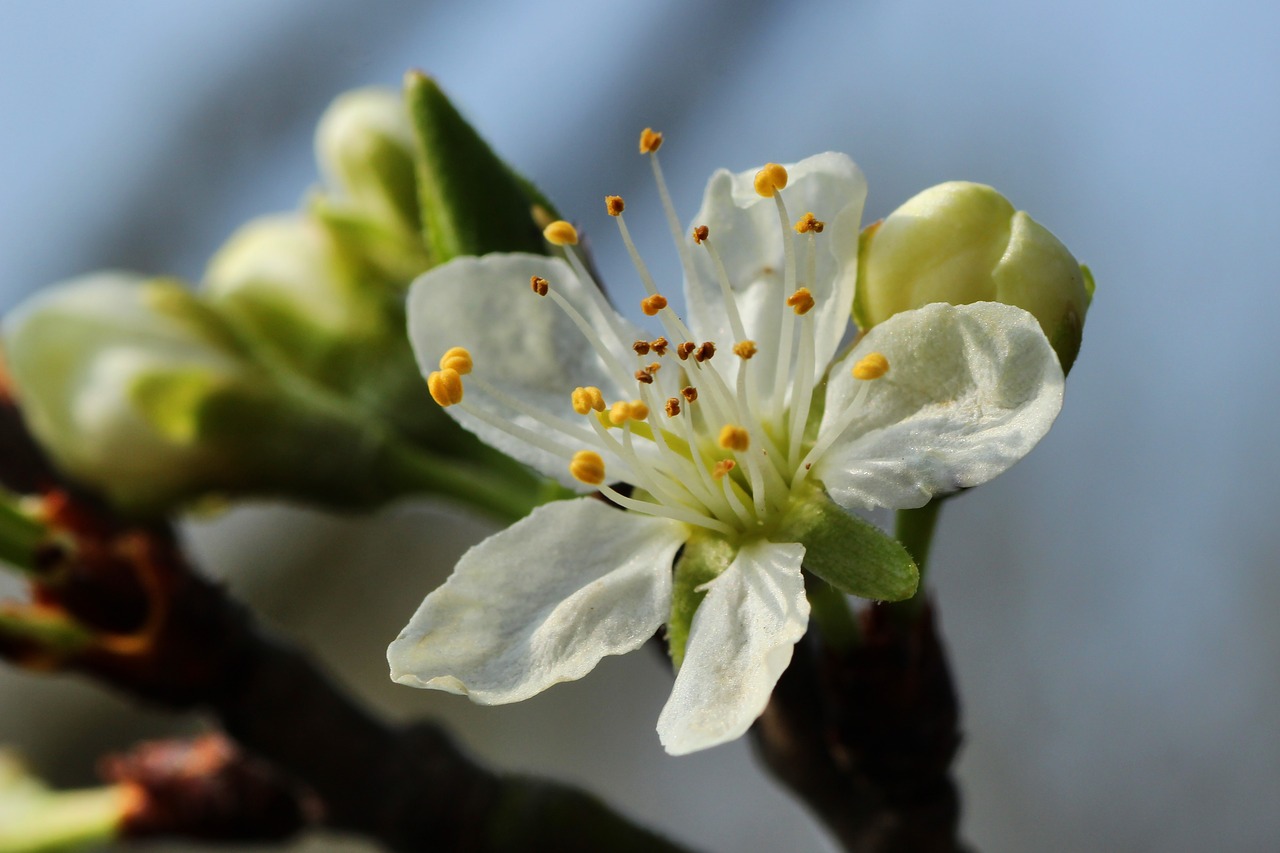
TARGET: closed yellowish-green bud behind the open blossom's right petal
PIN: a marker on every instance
(963, 243)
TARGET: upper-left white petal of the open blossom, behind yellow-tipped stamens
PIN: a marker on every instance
(523, 344)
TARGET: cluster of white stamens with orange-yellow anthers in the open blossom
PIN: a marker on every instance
(703, 441)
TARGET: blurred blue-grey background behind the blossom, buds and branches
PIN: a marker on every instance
(1110, 604)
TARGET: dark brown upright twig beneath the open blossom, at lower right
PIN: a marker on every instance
(867, 738)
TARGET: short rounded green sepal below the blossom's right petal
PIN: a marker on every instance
(852, 555)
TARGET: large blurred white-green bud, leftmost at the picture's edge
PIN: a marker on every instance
(113, 373)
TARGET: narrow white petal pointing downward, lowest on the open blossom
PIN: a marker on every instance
(739, 645)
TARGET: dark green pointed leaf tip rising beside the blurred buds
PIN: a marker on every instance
(472, 203)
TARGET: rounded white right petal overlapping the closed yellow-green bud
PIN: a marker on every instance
(970, 391)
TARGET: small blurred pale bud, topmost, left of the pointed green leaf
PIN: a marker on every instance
(365, 152)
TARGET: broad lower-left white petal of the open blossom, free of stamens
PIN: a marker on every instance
(542, 603)
